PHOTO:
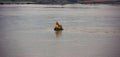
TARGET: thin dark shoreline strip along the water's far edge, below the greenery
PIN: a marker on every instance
(84, 2)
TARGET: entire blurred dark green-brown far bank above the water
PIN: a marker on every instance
(59, 1)
